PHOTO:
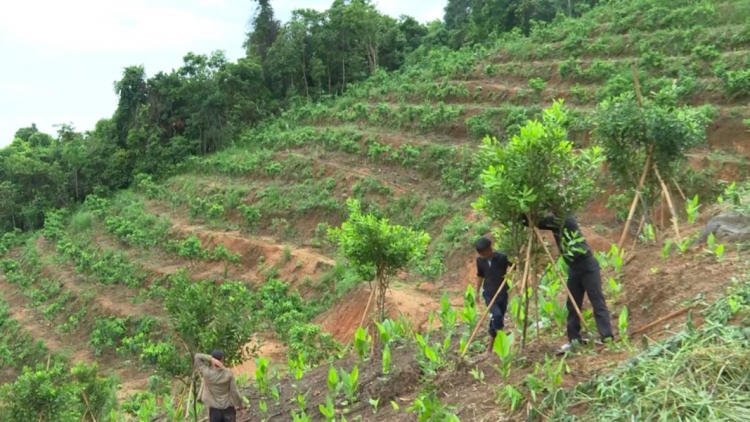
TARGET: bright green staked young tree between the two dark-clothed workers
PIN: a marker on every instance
(535, 172)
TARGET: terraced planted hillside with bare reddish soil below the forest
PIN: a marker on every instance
(107, 280)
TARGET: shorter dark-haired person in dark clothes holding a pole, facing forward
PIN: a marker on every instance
(491, 269)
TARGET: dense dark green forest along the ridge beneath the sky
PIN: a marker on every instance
(205, 104)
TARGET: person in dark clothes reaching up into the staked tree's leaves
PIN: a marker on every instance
(584, 274)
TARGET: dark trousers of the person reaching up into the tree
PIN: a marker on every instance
(585, 277)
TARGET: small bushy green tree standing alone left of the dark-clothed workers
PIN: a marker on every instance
(377, 249)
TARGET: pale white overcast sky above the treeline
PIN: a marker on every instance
(61, 58)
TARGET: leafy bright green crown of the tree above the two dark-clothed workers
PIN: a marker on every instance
(536, 171)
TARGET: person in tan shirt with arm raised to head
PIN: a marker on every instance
(218, 390)
